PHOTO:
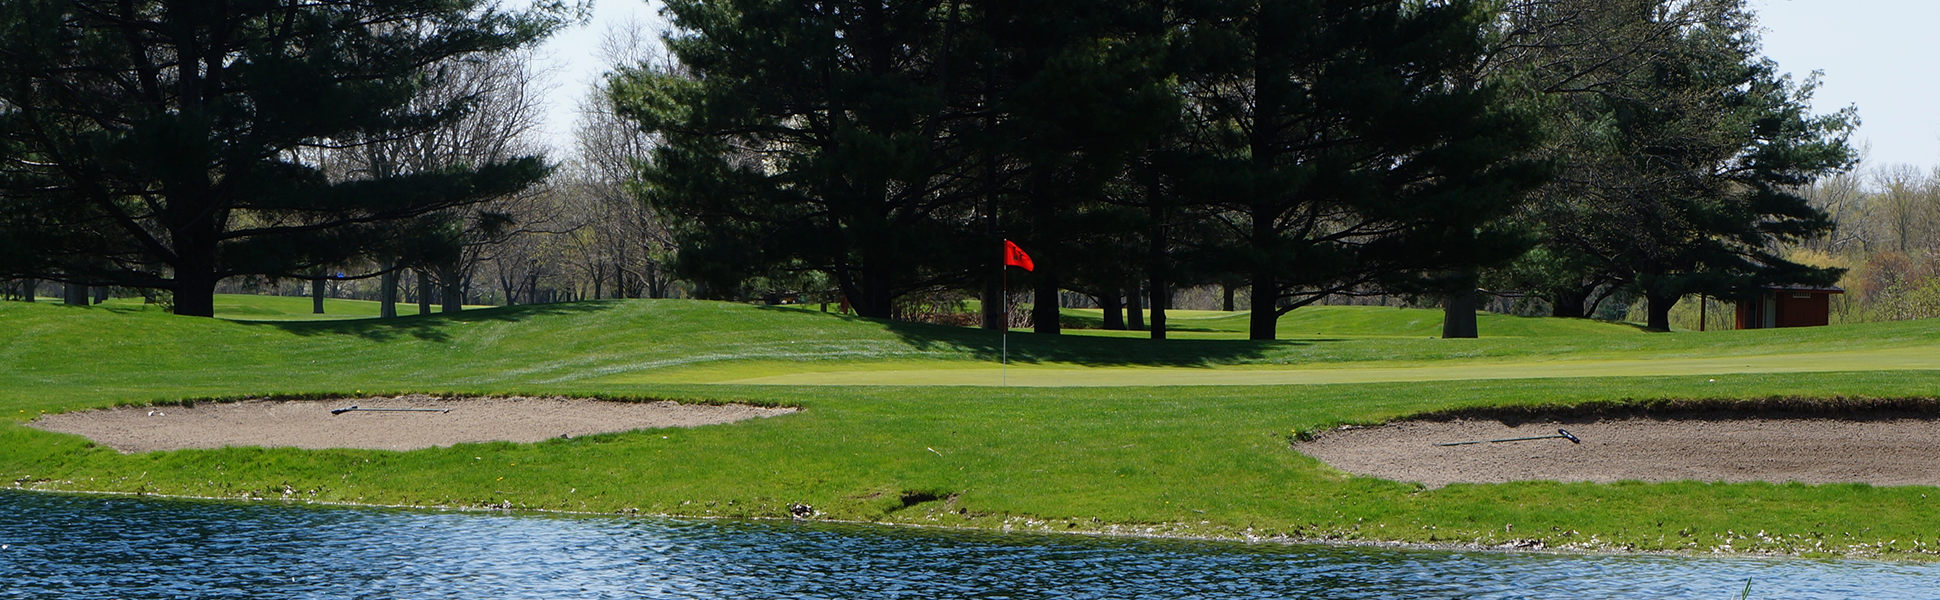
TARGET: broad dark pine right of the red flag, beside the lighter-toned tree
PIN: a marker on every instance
(1343, 149)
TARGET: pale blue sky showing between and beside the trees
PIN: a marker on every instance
(1877, 55)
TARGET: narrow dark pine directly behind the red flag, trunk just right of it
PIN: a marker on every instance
(1078, 90)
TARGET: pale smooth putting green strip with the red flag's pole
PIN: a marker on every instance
(1068, 376)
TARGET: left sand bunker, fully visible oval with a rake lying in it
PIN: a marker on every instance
(309, 424)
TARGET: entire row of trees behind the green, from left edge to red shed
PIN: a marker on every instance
(1559, 152)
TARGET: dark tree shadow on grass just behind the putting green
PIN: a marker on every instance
(1078, 350)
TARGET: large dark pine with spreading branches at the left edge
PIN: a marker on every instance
(156, 145)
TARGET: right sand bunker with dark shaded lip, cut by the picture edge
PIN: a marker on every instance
(1881, 450)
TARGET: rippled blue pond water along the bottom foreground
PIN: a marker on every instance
(82, 547)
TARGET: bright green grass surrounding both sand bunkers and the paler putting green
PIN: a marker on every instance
(1210, 461)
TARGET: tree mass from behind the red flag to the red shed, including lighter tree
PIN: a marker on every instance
(1295, 149)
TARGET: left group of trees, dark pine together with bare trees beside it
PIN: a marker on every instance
(360, 150)
